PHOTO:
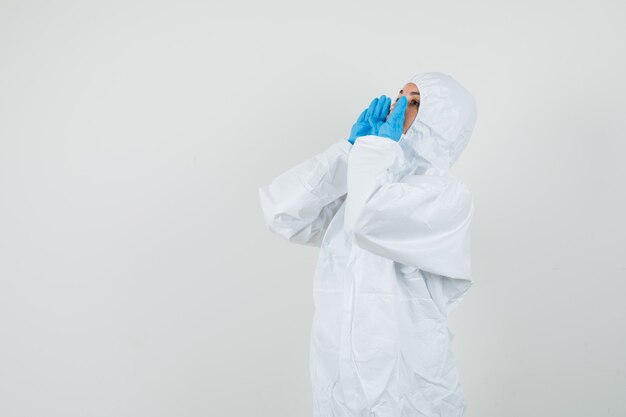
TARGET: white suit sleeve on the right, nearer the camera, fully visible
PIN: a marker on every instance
(419, 220)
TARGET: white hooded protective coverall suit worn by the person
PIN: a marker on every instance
(392, 225)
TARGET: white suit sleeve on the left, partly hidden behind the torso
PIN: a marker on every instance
(299, 204)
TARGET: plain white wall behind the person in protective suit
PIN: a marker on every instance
(136, 276)
